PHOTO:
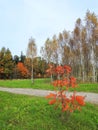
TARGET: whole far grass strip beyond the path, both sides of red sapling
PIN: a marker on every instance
(44, 84)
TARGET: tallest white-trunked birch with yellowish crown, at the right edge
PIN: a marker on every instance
(91, 24)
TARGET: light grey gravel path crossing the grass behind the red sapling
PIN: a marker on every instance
(90, 97)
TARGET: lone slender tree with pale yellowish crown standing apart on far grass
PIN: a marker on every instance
(31, 53)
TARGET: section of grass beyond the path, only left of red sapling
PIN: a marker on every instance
(38, 83)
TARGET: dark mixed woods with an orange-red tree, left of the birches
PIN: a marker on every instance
(19, 67)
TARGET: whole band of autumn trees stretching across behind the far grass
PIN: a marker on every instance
(78, 48)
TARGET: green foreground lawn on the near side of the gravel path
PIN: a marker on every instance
(20, 112)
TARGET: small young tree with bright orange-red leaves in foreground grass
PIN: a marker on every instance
(61, 85)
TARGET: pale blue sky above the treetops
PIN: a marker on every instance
(40, 19)
